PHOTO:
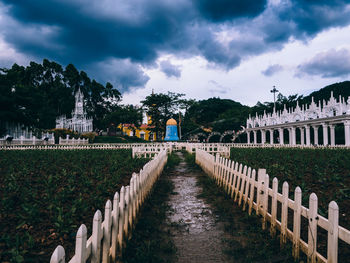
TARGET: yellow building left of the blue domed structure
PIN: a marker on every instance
(143, 132)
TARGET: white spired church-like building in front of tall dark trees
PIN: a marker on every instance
(79, 121)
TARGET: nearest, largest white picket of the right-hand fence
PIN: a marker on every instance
(333, 217)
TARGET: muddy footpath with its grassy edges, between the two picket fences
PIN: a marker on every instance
(189, 219)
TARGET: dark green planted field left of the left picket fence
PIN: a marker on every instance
(46, 195)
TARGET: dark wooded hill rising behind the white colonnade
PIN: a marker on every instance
(220, 115)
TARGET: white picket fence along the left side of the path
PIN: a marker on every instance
(108, 236)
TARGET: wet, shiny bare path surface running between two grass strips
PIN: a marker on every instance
(196, 230)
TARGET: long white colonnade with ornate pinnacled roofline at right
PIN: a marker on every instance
(302, 120)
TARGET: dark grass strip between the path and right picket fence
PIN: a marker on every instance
(244, 240)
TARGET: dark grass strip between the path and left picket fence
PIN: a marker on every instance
(151, 241)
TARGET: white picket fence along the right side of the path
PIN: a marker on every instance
(241, 184)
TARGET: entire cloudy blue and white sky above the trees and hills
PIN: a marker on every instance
(204, 48)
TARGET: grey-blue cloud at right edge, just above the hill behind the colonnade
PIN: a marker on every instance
(333, 63)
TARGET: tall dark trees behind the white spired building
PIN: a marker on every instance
(35, 95)
